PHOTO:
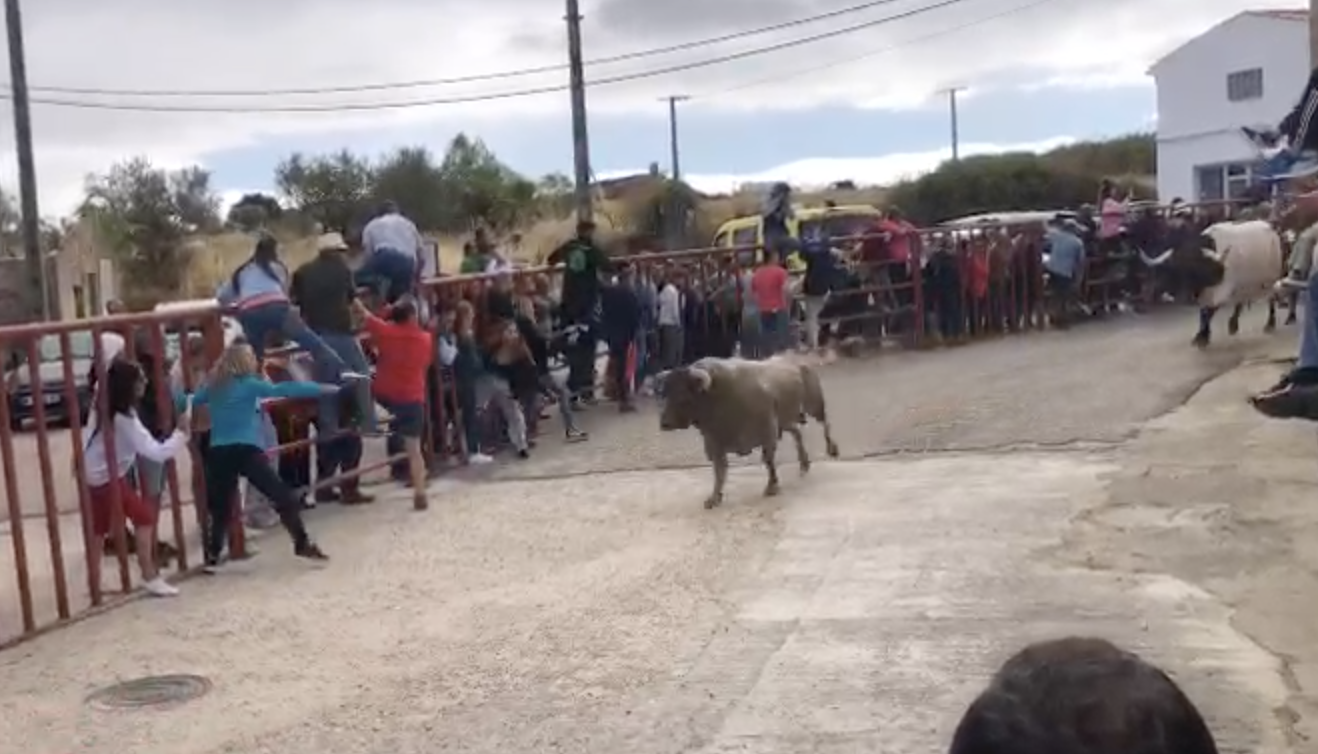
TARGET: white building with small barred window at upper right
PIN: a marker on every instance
(1247, 71)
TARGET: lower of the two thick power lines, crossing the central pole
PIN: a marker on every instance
(512, 94)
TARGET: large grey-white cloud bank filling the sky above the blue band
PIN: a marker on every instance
(241, 44)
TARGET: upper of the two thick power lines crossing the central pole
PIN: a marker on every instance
(486, 77)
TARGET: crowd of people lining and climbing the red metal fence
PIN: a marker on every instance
(480, 371)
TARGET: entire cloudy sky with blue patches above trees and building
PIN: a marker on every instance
(861, 105)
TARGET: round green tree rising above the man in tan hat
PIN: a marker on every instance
(334, 190)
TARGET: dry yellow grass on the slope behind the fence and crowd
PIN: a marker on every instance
(215, 258)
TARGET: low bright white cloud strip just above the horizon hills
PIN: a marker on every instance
(863, 171)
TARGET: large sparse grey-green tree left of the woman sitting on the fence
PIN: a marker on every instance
(146, 214)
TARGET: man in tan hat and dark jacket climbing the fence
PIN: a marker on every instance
(324, 291)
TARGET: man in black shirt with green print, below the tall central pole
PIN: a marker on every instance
(583, 263)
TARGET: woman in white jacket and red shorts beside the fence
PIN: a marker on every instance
(125, 388)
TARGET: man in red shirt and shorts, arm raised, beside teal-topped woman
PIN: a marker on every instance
(404, 357)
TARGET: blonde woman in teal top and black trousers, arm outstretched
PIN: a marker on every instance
(234, 392)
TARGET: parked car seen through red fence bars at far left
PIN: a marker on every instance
(51, 370)
